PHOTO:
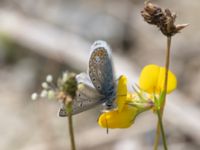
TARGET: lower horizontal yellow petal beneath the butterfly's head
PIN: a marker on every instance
(116, 119)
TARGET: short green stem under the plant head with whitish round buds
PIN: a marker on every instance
(70, 125)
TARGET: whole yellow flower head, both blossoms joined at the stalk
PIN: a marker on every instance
(130, 105)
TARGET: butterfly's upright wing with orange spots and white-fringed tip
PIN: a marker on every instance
(101, 70)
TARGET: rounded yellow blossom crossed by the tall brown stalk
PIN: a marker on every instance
(152, 79)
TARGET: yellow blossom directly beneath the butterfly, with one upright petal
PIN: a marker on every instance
(123, 116)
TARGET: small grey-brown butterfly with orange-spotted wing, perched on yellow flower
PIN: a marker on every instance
(97, 86)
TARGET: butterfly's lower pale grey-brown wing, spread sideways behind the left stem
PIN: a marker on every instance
(86, 96)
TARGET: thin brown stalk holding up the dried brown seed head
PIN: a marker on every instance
(167, 62)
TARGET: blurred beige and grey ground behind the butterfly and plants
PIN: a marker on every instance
(40, 37)
